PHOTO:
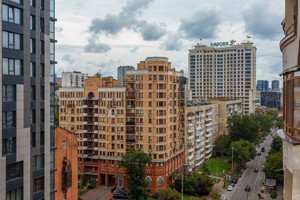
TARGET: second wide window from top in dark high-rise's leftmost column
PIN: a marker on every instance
(11, 40)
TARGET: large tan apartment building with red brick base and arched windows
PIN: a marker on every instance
(147, 114)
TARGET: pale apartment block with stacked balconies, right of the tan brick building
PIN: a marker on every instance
(201, 124)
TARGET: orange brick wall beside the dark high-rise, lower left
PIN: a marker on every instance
(66, 155)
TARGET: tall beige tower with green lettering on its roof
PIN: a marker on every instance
(223, 70)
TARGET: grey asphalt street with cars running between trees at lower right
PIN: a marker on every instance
(251, 178)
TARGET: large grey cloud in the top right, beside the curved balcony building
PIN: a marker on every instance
(260, 17)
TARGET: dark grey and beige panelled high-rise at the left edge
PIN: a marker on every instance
(27, 83)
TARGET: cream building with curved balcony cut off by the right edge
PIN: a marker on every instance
(290, 46)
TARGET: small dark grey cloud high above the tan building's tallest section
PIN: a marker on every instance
(152, 31)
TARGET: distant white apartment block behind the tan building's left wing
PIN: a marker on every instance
(73, 79)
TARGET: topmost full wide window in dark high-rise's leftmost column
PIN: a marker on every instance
(11, 14)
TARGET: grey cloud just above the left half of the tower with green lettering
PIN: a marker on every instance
(203, 24)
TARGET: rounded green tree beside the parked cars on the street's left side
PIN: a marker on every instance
(243, 151)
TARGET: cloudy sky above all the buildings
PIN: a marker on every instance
(96, 35)
